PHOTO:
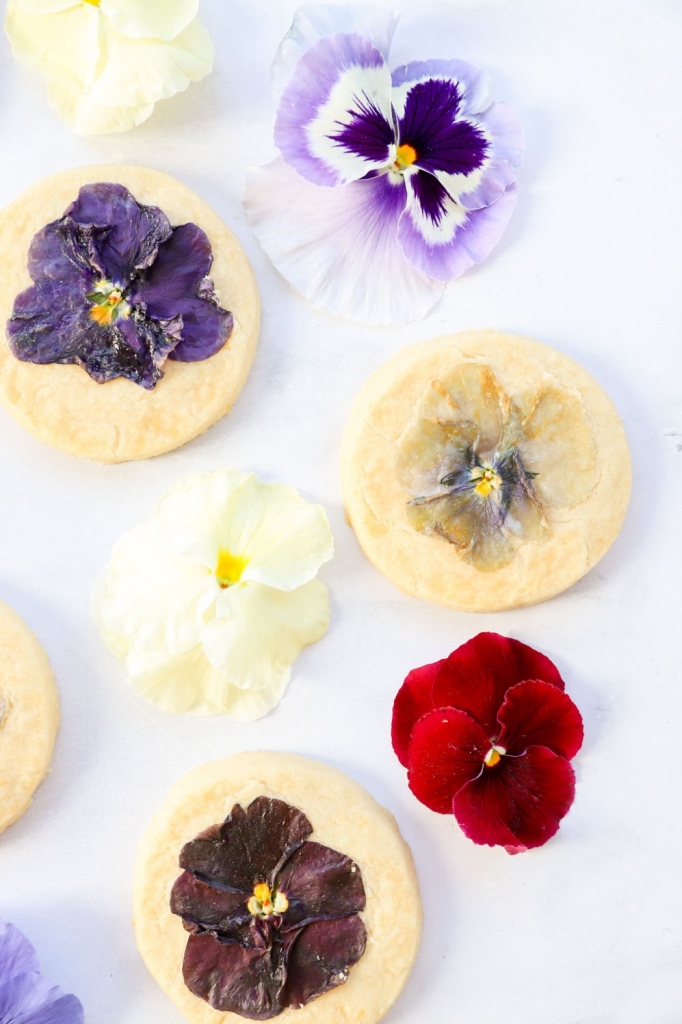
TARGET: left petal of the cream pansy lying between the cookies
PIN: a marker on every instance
(155, 601)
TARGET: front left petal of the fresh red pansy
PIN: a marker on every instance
(447, 750)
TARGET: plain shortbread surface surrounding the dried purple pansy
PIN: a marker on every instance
(120, 420)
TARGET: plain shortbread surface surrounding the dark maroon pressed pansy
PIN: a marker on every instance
(344, 817)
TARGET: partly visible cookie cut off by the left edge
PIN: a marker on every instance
(29, 716)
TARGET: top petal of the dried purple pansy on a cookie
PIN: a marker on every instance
(135, 232)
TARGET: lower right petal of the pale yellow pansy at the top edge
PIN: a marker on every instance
(136, 72)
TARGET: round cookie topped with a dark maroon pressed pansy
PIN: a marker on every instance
(272, 886)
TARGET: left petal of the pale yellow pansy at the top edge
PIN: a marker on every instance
(61, 47)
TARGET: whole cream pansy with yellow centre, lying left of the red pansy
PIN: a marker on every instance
(211, 602)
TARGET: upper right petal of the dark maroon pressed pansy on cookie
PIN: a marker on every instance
(320, 883)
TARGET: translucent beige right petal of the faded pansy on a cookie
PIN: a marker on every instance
(560, 447)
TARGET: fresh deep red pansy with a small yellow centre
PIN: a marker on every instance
(488, 735)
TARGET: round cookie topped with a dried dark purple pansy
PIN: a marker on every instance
(130, 311)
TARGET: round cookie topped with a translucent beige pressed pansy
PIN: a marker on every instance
(485, 472)
